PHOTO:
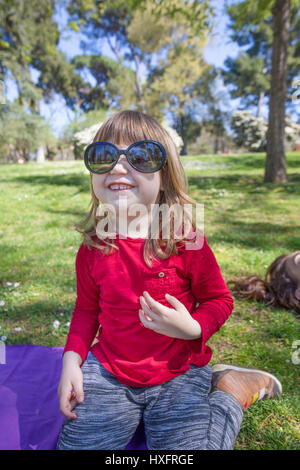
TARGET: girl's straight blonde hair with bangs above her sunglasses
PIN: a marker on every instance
(132, 126)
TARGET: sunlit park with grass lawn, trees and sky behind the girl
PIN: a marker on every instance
(205, 70)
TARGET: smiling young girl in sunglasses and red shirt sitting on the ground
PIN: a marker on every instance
(157, 300)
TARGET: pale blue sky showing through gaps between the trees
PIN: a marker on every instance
(218, 48)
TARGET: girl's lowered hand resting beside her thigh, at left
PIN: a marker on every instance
(70, 389)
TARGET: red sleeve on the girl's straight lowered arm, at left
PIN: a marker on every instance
(85, 318)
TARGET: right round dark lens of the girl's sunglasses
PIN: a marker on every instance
(146, 156)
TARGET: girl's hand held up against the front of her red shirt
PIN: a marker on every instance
(175, 322)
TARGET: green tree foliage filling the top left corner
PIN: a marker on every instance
(29, 38)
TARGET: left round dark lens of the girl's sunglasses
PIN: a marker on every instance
(100, 157)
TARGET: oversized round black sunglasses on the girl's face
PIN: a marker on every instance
(146, 156)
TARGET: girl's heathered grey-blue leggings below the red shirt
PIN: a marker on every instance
(178, 414)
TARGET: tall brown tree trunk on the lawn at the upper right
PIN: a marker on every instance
(275, 170)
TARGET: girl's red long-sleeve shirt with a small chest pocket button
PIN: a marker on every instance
(108, 290)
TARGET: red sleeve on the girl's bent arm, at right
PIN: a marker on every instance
(211, 292)
